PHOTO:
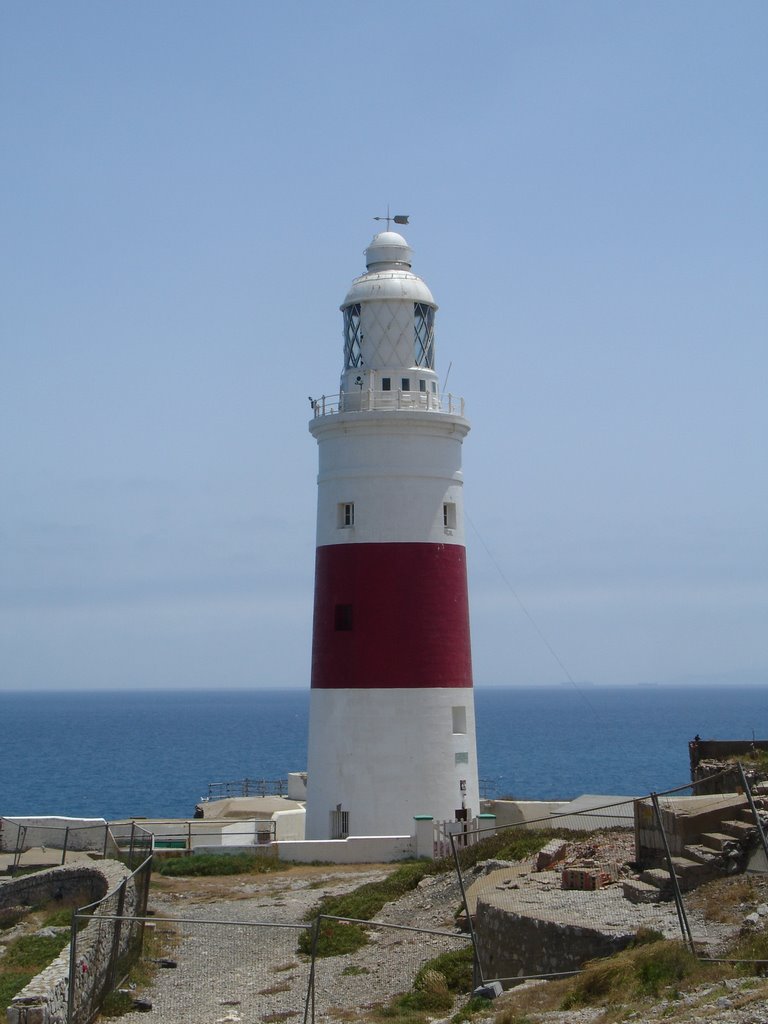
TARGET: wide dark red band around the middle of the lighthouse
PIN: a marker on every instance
(391, 616)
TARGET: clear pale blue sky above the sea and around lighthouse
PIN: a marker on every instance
(187, 190)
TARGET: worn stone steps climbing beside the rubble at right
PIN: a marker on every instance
(715, 855)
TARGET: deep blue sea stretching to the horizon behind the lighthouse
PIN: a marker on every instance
(154, 754)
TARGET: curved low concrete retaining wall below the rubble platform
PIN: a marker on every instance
(511, 946)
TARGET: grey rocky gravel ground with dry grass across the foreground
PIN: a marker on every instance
(231, 971)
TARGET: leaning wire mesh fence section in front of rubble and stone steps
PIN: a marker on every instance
(606, 873)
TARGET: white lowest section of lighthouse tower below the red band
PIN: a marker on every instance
(379, 757)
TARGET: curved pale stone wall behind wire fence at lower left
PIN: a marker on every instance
(45, 1001)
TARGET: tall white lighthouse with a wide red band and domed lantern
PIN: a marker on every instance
(392, 720)
